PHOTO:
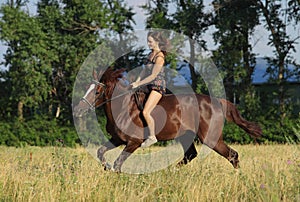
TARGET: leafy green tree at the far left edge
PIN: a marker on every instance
(27, 59)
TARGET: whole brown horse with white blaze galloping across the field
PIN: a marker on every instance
(201, 115)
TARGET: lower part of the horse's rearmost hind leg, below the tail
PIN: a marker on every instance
(230, 154)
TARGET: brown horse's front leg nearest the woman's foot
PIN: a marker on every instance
(127, 151)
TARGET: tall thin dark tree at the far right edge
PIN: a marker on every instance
(277, 19)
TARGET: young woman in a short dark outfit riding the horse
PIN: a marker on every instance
(155, 80)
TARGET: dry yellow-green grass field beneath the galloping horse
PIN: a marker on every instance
(267, 173)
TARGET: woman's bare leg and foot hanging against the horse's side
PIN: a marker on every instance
(152, 101)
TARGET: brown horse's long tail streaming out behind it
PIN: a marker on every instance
(232, 114)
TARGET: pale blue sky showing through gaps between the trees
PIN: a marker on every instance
(259, 40)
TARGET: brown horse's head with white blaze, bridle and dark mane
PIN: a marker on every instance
(99, 91)
